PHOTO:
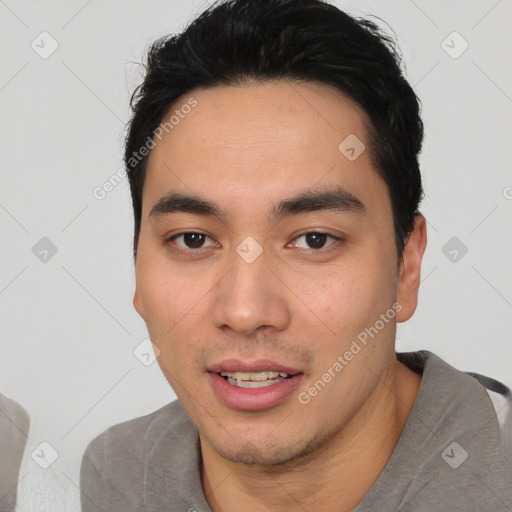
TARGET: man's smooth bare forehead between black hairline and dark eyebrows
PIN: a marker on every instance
(260, 141)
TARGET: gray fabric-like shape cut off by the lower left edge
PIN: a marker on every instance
(14, 427)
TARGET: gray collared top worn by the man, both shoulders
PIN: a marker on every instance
(454, 454)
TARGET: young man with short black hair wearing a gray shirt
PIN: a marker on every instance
(272, 158)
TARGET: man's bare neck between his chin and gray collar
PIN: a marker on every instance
(336, 476)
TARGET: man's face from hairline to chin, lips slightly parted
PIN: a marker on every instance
(256, 281)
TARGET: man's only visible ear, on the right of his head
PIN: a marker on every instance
(410, 267)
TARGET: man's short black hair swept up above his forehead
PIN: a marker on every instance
(234, 42)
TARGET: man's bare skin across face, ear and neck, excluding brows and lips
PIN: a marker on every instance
(246, 148)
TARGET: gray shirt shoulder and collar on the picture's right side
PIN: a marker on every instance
(458, 444)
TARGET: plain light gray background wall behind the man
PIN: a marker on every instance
(68, 325)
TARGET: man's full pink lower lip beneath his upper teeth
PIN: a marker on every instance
(253, 399)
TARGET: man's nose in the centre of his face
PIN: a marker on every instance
(251, 296)
